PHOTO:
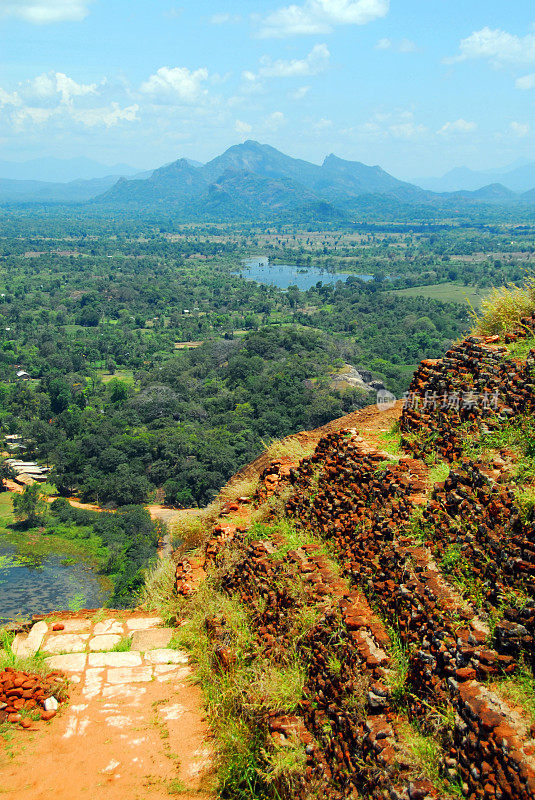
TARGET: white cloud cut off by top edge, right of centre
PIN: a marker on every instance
(320, 16)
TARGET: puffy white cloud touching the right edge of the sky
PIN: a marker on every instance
(497, 46)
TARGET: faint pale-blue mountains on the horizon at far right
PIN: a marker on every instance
(518, 177)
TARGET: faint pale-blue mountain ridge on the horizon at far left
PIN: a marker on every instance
(61, 170)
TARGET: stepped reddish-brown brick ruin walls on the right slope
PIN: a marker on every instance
(389, 530)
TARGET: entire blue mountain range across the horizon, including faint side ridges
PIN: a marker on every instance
(253, 181)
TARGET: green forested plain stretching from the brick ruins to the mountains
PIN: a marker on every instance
(148, 363)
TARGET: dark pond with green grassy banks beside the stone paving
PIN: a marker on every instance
(39, 575)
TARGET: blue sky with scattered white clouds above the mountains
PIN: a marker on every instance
(417, 86)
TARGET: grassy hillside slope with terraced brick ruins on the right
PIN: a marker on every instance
(370, 610)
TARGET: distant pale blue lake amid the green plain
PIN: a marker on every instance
(283, 275)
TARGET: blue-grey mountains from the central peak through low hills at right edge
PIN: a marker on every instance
(252, 180)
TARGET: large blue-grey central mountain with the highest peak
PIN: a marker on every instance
(263, 177)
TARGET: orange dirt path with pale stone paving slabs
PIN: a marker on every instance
(133, 728)
